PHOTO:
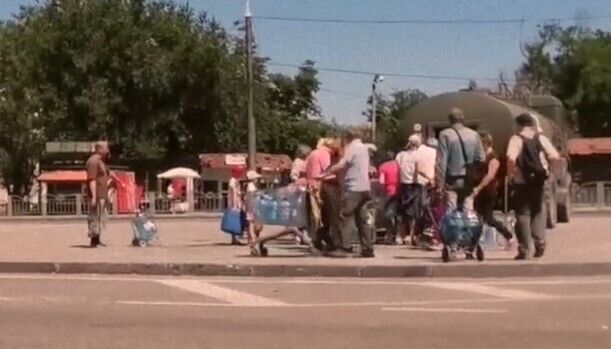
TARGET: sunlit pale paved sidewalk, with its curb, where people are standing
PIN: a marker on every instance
(195, 246)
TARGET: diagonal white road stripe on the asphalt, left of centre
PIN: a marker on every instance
(221, 293)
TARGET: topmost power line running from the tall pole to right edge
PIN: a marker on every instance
(426, 21)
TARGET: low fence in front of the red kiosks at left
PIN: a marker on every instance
(70, 205)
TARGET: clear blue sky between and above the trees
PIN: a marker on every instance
(458, 50)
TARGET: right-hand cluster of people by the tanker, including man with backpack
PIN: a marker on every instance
(460, 169)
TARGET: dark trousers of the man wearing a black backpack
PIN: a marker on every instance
(531, 216)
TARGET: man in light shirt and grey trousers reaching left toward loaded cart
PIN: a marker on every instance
(355, 164)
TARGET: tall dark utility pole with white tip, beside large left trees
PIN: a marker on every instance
(252, 130)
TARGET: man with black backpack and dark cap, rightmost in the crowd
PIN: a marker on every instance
(528, 156)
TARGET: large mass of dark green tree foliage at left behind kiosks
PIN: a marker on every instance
(153, 77)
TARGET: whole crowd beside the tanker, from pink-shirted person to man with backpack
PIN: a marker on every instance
(460, 169)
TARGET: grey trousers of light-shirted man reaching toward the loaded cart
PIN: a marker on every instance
(352, 205)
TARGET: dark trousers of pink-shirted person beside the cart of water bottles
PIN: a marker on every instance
(329, 232)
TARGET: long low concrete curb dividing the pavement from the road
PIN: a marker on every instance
(278, 270)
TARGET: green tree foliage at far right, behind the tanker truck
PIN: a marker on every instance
(573, 64)
